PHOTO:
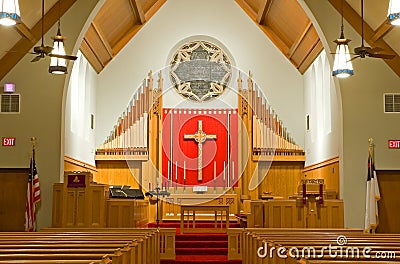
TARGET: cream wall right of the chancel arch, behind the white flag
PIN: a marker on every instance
(363, 117)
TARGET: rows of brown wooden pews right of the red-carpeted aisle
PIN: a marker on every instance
(318, 240)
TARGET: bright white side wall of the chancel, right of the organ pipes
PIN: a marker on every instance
(321, 105)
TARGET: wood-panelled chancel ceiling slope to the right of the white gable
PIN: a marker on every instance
(293, 34)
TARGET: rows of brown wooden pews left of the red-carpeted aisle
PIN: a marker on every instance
(67, 247)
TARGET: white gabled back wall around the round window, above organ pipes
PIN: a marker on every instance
(223, 20)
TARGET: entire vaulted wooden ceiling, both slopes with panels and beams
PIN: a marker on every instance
(294, 35)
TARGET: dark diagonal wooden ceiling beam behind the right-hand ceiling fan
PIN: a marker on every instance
(354, 20)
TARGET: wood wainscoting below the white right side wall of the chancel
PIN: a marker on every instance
(327, 170)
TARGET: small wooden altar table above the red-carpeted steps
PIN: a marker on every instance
(206, 208)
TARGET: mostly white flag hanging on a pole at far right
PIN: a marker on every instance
(372, 197)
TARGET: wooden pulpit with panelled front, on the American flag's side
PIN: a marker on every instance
(80, 202)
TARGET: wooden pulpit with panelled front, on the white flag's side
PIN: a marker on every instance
(311, 207)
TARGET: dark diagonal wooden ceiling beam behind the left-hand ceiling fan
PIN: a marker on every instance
(24, 45)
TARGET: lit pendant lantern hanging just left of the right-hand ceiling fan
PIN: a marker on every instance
(342, 66)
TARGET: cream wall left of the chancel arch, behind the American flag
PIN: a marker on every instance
(41, 104)
